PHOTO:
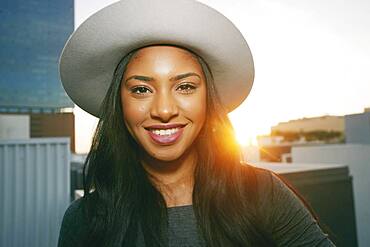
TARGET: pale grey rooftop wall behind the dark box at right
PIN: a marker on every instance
(357, 158)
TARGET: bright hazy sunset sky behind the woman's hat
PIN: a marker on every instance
(312, 58)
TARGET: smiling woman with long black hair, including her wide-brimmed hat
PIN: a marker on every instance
(164, 168)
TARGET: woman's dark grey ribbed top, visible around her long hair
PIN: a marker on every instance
(284, 216)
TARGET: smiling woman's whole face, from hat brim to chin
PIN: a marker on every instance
(163, 94)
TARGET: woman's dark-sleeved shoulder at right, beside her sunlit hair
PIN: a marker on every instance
(285, 213)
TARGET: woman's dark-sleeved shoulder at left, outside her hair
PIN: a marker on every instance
(73, 225)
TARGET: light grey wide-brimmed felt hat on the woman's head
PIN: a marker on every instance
(94, 50)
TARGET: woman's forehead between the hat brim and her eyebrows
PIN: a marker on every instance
(166, 57)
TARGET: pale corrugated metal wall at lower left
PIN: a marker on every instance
(34, 190)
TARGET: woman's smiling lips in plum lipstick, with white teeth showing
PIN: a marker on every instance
(165, 134)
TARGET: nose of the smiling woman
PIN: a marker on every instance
(164, 107)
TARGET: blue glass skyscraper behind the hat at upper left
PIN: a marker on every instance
(32, 35)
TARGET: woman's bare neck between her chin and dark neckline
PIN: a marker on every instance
(174, 179)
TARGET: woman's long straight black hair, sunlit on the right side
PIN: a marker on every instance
(121, 201)
